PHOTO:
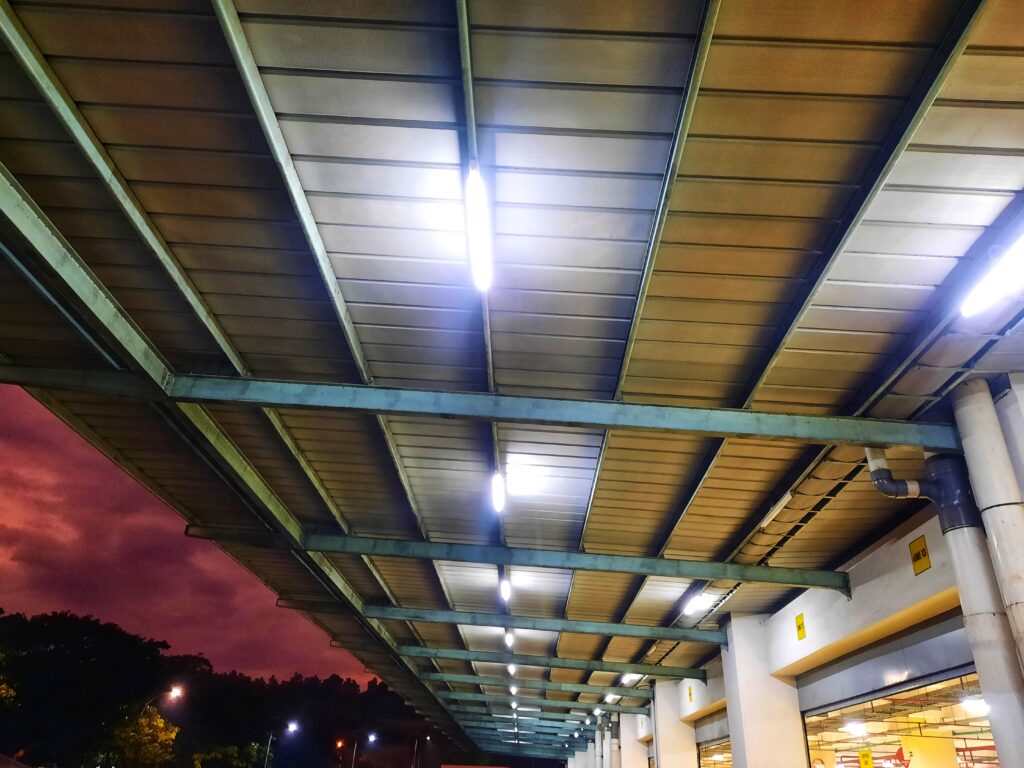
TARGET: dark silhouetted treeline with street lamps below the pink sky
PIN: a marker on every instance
(76, 693)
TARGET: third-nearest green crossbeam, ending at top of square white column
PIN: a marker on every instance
(477, 619)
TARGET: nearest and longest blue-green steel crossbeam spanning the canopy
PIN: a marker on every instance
(498, 408)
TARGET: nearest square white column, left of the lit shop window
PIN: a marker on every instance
(765, 726)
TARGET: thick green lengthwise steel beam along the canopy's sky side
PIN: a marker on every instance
(83, 286)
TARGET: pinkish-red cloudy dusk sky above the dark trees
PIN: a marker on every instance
(78, 534)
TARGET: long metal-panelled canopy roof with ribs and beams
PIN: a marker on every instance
(735, 204)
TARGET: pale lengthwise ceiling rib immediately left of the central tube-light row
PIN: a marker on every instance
(235, 36)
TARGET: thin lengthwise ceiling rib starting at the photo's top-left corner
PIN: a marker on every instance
(45, 78)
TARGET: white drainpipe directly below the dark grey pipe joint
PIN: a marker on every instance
(992, 642)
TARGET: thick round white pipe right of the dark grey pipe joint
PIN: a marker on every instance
(998, 493)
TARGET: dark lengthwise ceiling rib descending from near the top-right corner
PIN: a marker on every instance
(917, 105)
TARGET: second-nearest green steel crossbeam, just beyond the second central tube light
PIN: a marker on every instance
(542, 559)
